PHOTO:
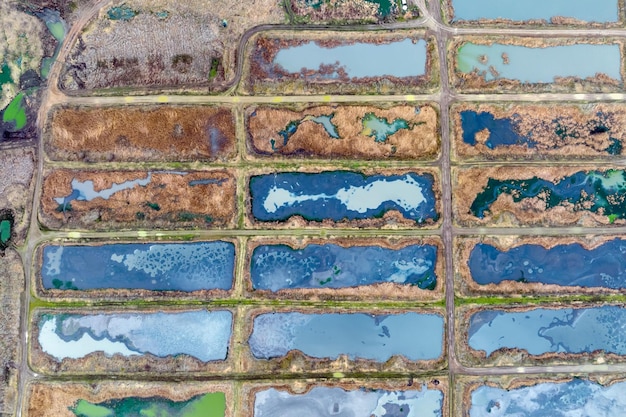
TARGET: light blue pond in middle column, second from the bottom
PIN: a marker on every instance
(416, 336)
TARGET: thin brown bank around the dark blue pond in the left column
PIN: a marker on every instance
(119, 294)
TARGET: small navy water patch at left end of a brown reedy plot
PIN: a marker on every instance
(502, 132)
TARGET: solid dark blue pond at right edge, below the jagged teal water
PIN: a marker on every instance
(568, 265)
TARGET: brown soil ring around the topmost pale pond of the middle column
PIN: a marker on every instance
(263, 77)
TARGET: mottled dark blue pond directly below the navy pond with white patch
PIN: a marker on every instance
(276, 267)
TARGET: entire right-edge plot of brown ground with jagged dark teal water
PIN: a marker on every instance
(538, 196)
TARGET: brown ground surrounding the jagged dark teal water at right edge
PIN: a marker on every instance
(535, 210)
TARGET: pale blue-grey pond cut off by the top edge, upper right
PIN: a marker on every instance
(604, 11)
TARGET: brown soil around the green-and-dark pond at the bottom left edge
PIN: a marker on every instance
(55, 399)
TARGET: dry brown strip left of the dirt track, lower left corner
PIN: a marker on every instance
(11, 288)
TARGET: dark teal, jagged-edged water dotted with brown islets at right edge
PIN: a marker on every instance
(593, 191)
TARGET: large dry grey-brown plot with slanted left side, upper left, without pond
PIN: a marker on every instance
(164, 43)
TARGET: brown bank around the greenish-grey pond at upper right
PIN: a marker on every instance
(475, 83)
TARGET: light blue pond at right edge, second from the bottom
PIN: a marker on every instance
(541, 330)
